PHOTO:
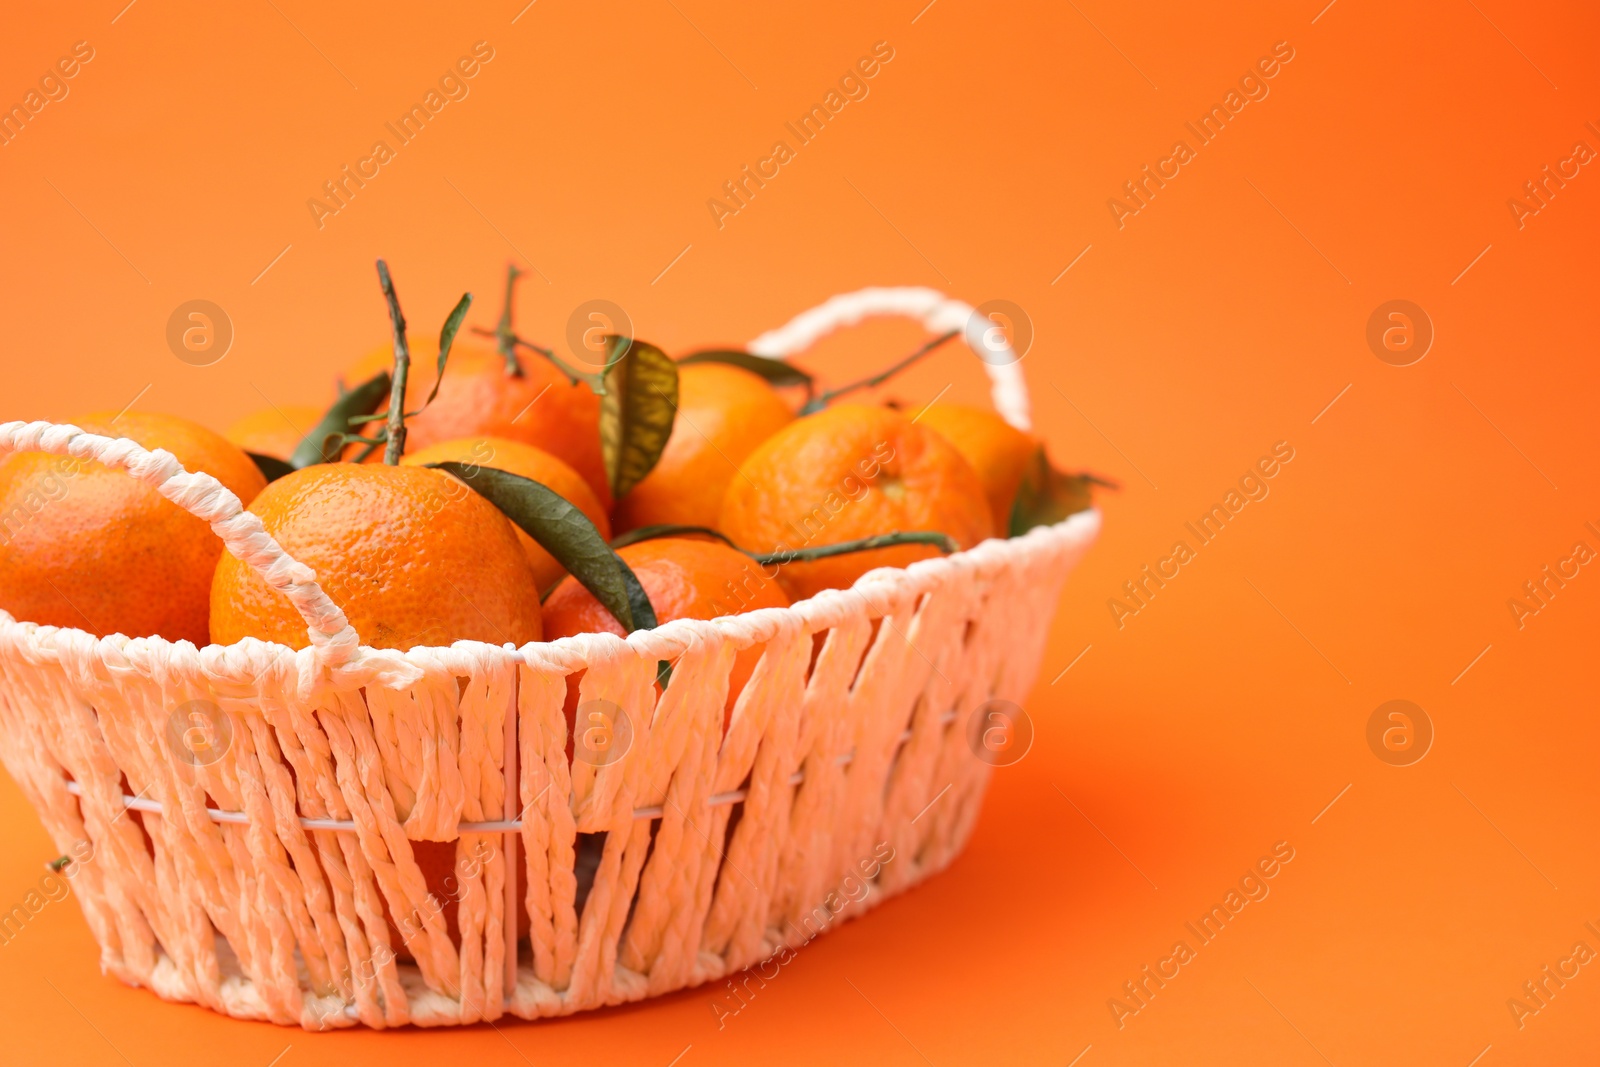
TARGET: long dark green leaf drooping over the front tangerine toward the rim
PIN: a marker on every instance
(567, 535)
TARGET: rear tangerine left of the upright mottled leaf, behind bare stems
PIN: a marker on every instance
(479, 399)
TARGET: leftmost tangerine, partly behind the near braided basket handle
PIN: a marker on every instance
(89, 548)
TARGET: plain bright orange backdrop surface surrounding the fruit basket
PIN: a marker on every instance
(1223, 319)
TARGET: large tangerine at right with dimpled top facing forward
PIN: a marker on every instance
(849, 473)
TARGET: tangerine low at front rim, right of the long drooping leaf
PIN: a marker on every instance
(684, 580)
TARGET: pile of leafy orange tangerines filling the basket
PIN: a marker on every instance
(502, 494)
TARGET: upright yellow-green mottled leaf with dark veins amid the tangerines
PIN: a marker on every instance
(638, 409)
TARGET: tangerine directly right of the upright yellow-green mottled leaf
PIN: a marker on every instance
(724, 414)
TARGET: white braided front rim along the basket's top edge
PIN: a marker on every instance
(879, 588)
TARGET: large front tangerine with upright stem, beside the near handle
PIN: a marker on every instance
(412, 556)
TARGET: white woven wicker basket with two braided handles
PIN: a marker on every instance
(262, 877)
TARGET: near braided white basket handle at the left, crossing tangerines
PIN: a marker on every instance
(206, 498)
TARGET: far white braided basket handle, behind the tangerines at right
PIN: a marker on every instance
(937, 313)
